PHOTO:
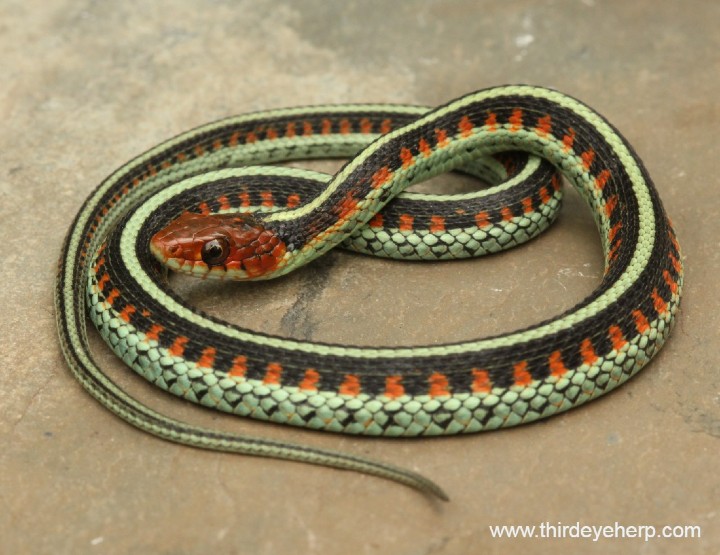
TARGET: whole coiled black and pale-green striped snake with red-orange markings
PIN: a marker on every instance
(154, 213)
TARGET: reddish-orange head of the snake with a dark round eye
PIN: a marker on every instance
(221, 246)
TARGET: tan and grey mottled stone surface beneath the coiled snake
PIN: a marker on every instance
(86, 85)
